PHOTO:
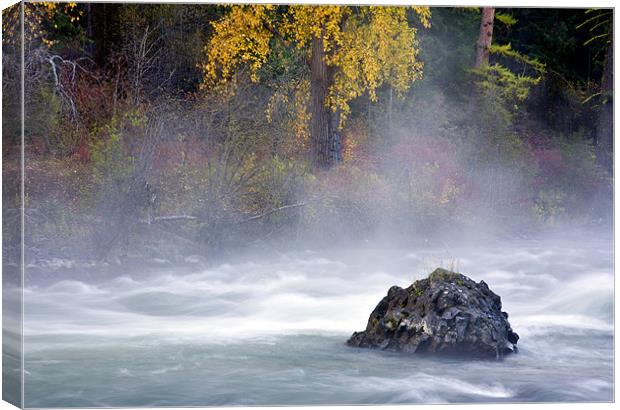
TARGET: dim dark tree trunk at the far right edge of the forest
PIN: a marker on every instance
(605, 128)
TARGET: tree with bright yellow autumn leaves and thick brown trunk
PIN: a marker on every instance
(350, 51)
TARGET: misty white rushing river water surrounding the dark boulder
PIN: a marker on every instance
(272, 331)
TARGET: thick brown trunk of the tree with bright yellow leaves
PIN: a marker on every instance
(323, 129)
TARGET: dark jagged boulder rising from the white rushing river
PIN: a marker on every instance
(446, 313)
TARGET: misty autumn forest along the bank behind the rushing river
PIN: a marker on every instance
(176, 129)
